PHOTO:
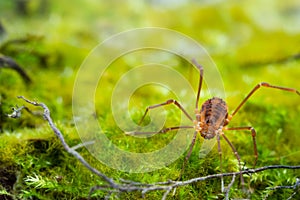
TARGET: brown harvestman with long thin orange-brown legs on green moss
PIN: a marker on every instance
(212, 119)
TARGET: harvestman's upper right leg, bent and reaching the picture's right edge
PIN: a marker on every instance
(256, 88)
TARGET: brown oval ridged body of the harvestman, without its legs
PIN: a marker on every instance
(213, 116)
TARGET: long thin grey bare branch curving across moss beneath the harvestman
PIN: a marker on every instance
(128, 186)
